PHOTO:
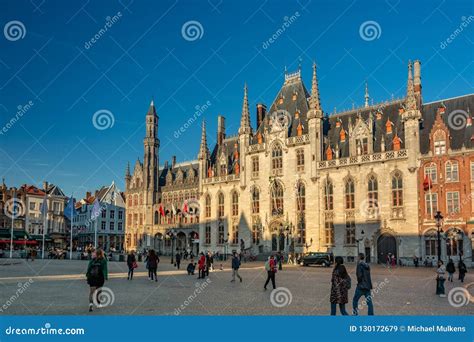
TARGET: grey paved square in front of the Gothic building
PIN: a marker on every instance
(58, 287)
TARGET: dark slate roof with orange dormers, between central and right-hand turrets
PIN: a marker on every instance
(378, 115)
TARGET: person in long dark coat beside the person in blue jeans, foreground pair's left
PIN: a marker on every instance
(340, 285)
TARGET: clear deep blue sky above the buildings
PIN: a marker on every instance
(143, 54)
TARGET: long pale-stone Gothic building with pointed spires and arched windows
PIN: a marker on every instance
(301, 181)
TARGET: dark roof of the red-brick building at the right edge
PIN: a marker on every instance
(460, 131)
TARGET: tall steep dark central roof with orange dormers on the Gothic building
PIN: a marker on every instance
(285, 100)
